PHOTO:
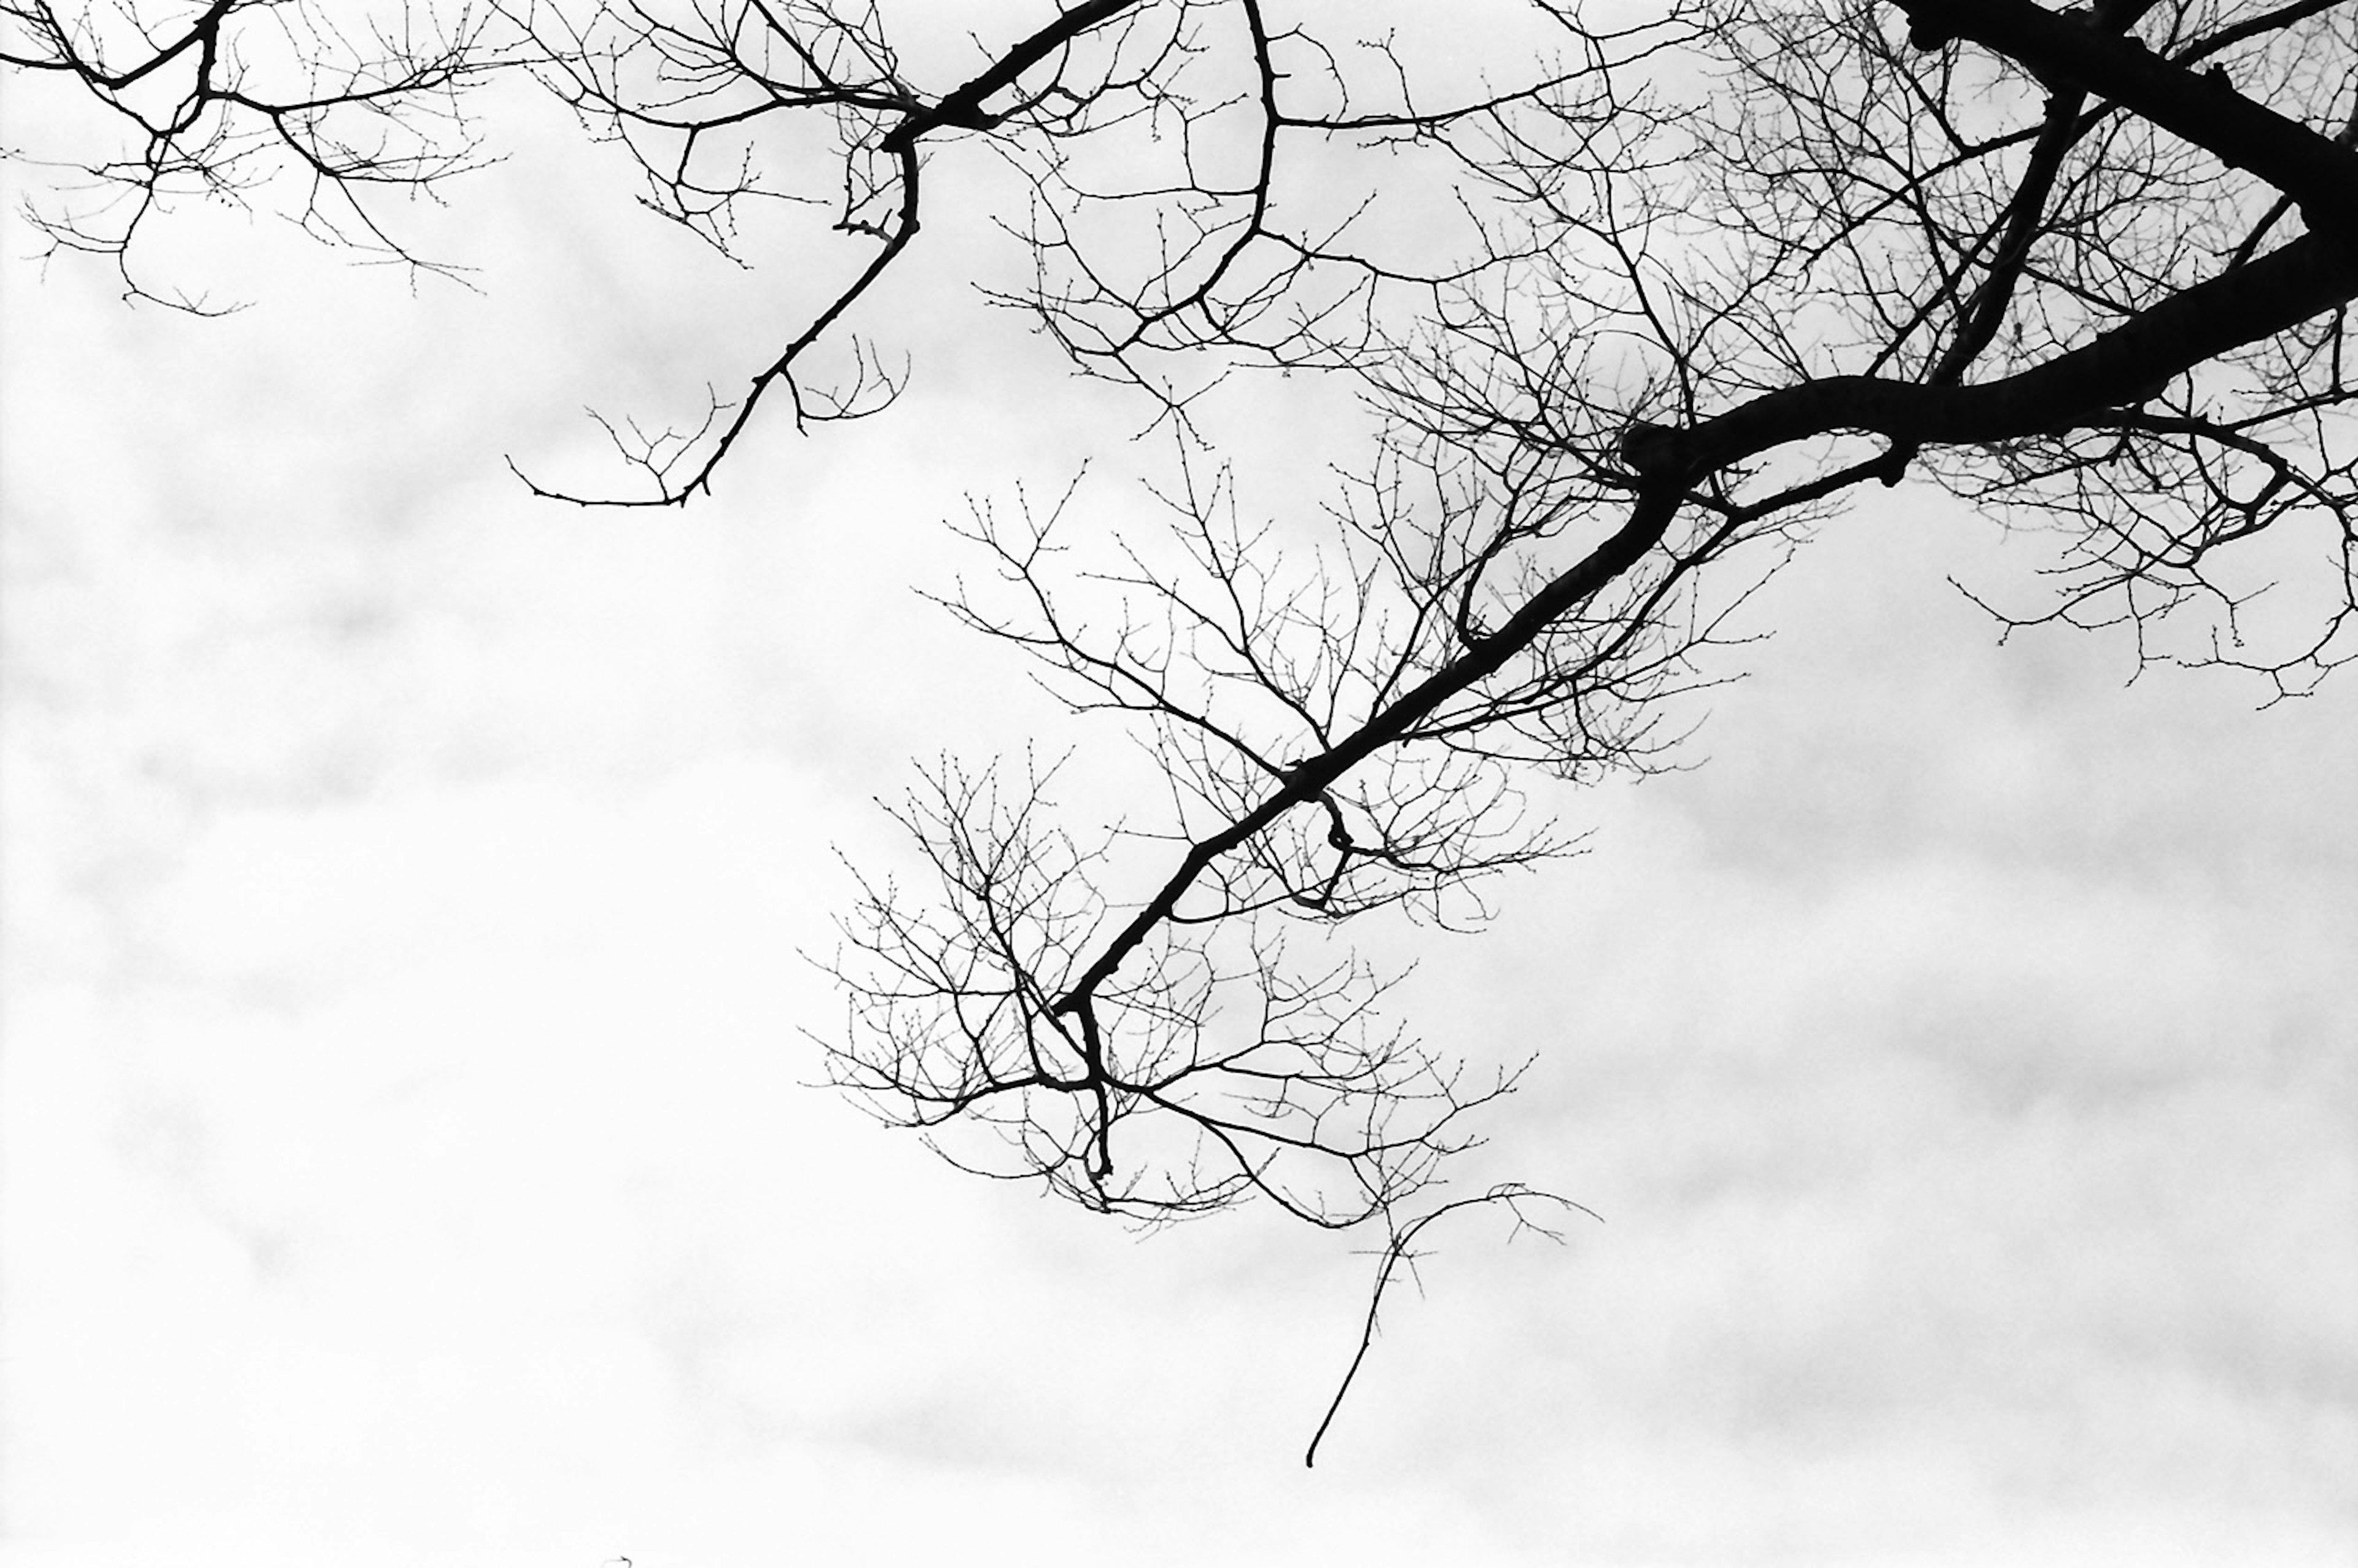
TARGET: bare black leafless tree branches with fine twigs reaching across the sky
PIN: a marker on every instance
(1631, 317)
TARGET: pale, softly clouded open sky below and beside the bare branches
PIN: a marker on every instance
(404, 1112)
